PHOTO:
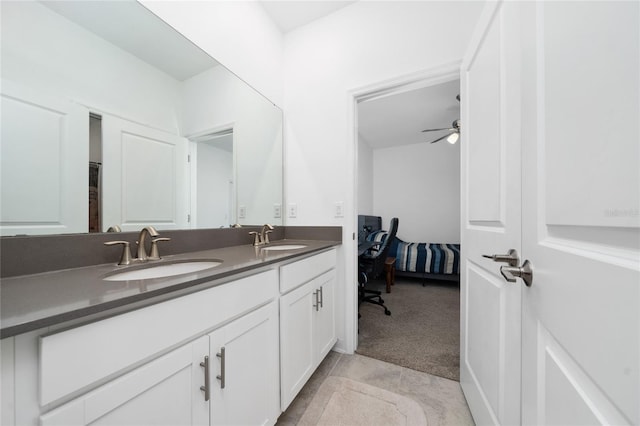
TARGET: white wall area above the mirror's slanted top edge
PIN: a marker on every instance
(238, 34)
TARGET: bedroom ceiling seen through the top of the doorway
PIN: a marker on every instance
(399, 119)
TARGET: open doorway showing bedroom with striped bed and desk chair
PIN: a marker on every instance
(400, 173)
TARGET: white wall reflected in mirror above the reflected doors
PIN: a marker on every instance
(44, 51)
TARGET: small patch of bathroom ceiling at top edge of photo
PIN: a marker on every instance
(289, 15)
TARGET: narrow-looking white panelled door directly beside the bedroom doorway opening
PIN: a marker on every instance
(491, 218)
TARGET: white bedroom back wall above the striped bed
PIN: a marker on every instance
(421, 187)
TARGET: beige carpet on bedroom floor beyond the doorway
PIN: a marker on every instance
(423, 331)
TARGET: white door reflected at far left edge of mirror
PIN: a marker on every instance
(44, 170)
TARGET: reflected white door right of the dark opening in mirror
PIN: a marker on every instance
(145, 176)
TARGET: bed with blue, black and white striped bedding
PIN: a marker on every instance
(439, 261)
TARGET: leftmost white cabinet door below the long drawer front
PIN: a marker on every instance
(165, 391)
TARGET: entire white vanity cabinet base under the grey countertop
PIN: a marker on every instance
(234, 353)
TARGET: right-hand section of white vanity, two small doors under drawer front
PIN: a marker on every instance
(307, 320)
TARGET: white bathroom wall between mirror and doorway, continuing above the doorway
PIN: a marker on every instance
(361, 45)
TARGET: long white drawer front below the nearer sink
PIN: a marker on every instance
(75, 359)
